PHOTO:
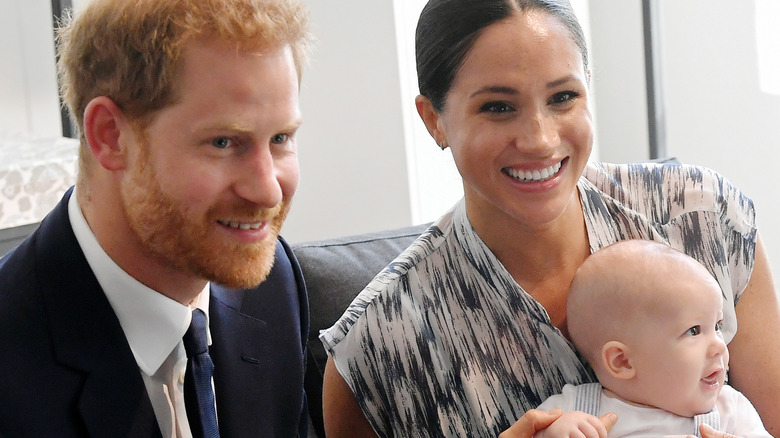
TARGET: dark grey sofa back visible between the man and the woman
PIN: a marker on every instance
(335, 271)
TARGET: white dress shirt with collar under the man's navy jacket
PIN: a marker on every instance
(153, 325)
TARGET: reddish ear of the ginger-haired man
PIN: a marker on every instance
(104, 124)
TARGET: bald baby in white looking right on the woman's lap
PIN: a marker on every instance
(647, 318)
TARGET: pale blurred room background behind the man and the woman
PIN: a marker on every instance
(698, 80)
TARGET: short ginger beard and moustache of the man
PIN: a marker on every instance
(191, 244)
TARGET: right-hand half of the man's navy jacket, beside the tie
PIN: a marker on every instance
(258, 346)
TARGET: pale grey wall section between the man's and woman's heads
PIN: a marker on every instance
(351, 144)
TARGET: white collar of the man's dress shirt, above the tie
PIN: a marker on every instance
(153, 323)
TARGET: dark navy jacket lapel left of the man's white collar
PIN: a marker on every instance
(87, 336)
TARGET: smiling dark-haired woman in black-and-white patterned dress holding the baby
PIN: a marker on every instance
(465, 331)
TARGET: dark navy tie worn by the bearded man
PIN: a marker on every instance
(198, 392)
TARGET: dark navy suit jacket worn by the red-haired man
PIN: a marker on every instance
(66, 369)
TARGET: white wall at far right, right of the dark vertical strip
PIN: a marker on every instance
(717, 114)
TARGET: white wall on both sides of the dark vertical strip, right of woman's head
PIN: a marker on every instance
(716, 114)
